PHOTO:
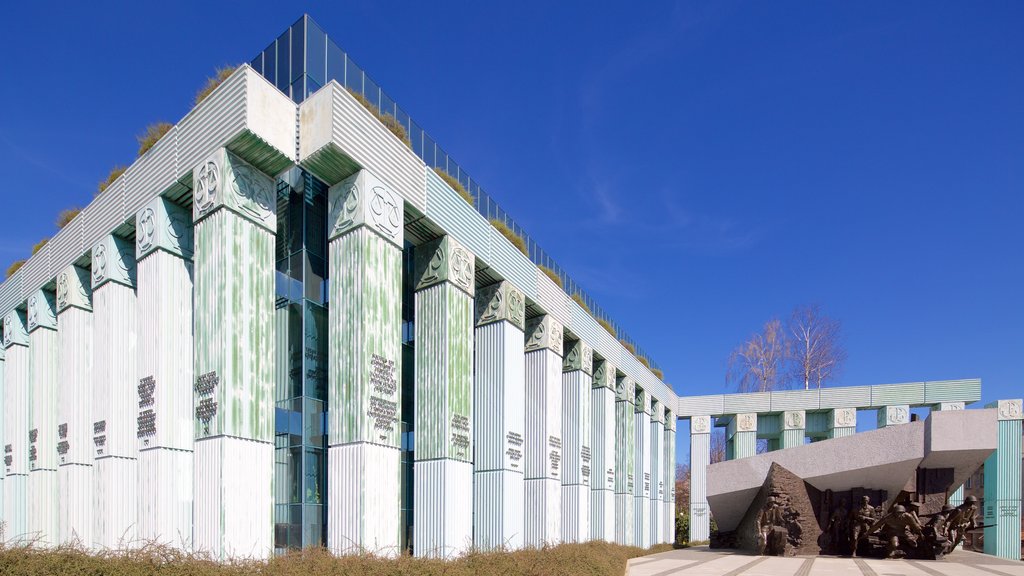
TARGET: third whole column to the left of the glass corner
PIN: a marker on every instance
(115, 406)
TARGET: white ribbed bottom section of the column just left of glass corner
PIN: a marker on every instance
(233, 515)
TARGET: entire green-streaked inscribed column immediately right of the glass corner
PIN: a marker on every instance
(365, 231)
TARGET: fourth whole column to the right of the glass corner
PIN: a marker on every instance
(544, 432)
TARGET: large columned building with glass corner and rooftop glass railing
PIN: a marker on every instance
(296, 321)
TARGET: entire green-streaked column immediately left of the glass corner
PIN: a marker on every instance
(235, 212)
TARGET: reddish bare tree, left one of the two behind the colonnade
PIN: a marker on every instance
(759, 364)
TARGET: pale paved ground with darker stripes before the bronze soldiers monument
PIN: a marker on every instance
(704, 562)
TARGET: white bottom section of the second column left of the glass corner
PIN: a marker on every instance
(165, 506)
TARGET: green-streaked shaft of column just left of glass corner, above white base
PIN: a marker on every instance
(234, 310)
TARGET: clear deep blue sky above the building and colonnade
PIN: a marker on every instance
(700, 168)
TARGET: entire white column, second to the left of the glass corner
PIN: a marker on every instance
(164, 436)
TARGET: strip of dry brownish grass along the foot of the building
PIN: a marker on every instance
(592, 559)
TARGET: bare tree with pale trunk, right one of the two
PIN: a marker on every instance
(817, 354)
